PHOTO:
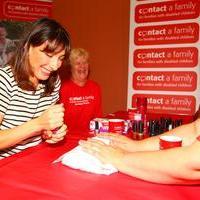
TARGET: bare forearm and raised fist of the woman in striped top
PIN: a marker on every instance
(50, 119)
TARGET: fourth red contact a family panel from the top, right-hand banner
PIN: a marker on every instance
(165, 81)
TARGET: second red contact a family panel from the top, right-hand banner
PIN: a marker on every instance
(167, 34)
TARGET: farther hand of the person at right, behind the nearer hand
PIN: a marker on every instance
(119, 141)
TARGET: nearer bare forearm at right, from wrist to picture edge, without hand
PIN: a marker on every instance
(167, 166)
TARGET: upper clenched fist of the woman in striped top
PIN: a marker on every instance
(52, 118)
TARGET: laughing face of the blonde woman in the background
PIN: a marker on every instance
(80, 70)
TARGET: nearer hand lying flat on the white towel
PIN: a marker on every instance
(105, 153)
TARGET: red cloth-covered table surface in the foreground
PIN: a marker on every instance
(31, 175)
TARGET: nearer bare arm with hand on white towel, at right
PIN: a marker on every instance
(173, 166)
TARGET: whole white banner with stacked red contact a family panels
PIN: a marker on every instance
(164, 55)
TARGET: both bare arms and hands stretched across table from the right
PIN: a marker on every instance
(144, 160)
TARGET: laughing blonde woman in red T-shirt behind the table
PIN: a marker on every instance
(81, 97)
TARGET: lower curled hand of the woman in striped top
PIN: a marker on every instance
(54, 136)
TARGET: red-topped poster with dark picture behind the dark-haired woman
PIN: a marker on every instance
(15, 19)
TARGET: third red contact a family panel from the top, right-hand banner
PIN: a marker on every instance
(166, 57)
